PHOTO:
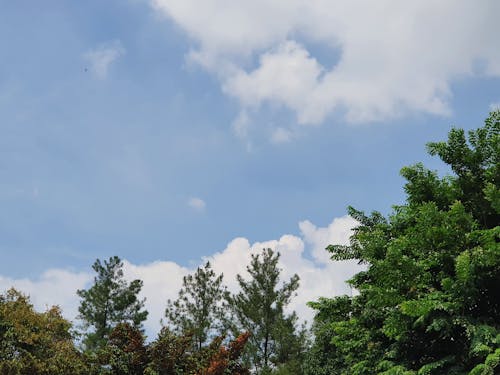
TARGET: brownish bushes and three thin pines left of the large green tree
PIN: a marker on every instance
(206, 330)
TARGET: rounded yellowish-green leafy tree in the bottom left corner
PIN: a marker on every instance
(35, 343)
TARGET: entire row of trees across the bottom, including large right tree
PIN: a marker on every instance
(427, 301)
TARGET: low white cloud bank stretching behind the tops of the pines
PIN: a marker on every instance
(302, 254)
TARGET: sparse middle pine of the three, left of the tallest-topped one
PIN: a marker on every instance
(200, 307)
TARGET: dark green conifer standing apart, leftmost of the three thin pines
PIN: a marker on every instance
(111, 300)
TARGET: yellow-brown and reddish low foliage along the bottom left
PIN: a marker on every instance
(33, 343)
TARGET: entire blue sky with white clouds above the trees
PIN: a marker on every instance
(171, 132)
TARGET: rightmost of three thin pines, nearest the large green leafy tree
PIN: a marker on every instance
(259, 309)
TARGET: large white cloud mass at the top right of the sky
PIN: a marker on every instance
(393, 58)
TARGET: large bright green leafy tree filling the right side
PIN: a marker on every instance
(428, 300)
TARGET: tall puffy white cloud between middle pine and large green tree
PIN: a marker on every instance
(304, 255)
